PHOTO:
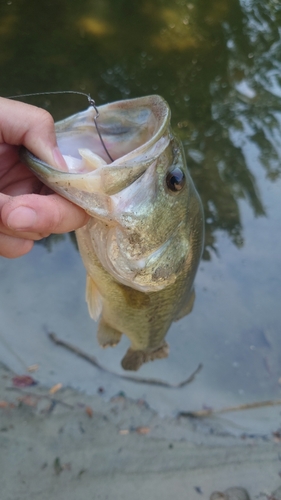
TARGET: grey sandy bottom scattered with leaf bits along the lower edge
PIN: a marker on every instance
(69, 445)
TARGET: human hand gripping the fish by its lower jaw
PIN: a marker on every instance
(28, 211)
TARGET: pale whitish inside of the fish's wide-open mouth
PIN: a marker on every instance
(126, 128)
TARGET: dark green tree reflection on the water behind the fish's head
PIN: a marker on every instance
(217, 63)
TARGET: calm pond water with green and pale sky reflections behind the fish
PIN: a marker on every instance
(218, 66)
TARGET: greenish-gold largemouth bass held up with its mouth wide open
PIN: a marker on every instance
(143, 242)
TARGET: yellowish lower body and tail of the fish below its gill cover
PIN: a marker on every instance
(143, 317)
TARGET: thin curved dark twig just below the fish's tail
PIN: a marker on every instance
(137, 380)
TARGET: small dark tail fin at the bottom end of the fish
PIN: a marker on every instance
(133, 359)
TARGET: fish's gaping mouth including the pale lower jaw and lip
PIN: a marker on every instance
(135, 133)
